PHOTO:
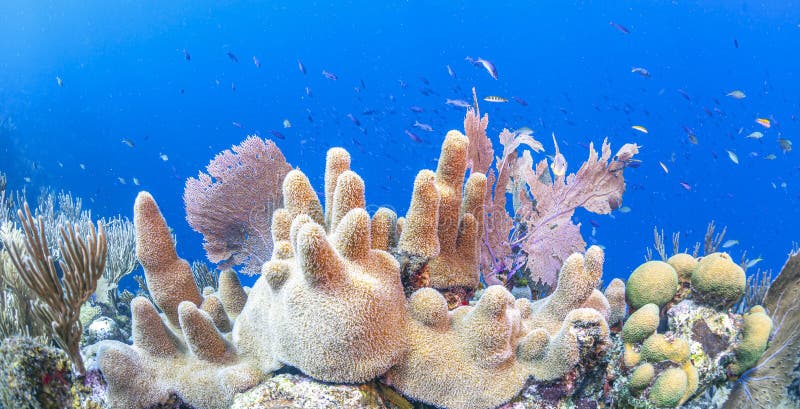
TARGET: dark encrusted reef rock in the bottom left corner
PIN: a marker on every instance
(34, 375)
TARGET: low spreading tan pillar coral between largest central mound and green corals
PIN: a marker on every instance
(501, 338)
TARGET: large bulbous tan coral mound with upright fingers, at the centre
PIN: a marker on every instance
(331, 305)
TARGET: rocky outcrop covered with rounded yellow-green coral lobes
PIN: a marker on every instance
(704, 344)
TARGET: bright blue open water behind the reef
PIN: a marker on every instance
(125, 76)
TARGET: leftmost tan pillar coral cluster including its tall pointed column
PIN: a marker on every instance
(189, 357)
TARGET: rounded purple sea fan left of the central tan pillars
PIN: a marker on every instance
(232, 204)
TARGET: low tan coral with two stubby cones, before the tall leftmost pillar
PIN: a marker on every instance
(196, 364)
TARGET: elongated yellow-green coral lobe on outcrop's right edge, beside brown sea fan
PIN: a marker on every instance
(756, 330)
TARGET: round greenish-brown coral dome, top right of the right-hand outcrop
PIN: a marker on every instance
(717, 280)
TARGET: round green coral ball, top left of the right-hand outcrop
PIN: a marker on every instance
(654, 282)
